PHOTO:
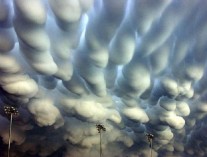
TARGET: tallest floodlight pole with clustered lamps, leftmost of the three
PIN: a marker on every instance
(10, 110)
